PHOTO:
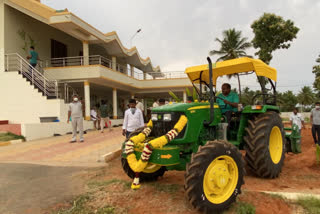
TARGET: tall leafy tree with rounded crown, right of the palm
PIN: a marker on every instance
(272, 32)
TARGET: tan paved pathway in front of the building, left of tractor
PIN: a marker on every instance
(57, 151)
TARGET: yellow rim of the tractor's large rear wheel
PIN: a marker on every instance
(275, 145)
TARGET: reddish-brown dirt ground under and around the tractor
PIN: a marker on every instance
(111, 187)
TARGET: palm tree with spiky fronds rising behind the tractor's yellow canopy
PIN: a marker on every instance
(232, 45)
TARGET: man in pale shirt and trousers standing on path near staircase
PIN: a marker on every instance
(75, 112)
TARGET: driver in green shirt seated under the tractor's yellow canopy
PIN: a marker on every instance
(228, 101)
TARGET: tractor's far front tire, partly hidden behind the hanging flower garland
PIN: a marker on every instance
(152, 171)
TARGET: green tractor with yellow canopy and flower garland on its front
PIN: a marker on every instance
(196, 137)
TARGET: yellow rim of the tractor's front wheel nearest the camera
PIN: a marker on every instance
(220, 179)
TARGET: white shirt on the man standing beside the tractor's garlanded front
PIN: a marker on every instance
(133, 121)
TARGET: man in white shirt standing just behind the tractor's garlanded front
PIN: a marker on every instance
(133, 119)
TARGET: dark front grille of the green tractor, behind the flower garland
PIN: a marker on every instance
(161, 127)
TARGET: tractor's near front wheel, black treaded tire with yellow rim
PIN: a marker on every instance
(214, 177)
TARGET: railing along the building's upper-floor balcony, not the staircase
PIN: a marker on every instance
(100, 60)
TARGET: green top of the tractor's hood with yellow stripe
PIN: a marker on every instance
(182, 107)
